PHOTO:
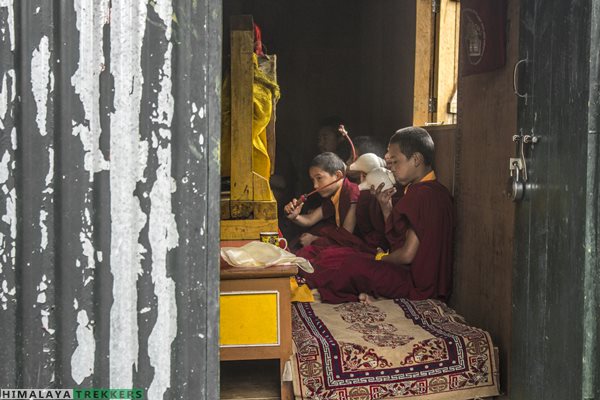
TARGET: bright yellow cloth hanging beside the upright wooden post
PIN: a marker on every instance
(265, 93)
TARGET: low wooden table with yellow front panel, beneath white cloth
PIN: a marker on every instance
(256, 319)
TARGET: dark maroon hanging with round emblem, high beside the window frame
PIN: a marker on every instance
(483, 35)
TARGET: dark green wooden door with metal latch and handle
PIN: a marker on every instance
(555, 277)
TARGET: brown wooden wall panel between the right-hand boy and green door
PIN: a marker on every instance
(485, 218)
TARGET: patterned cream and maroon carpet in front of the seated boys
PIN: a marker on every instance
(389, 349)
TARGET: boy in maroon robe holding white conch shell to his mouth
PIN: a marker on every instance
(418, 226)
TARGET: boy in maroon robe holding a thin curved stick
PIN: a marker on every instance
(338, 209)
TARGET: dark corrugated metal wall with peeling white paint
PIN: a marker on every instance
(109, 171)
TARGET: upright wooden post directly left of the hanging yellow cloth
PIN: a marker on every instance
(242, 71)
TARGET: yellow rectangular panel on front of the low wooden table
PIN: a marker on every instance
(249, 319)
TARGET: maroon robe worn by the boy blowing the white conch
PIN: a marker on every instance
(342, 273)
